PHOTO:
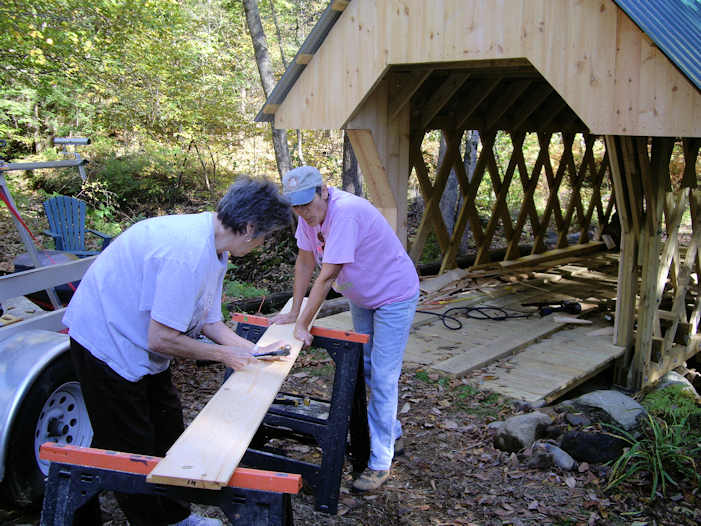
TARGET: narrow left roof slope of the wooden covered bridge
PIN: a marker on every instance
(309, 47)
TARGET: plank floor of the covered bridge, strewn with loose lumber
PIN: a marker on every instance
(543, 358)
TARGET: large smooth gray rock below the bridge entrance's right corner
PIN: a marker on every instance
(611, 407)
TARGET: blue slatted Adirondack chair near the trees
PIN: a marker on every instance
(66, 217)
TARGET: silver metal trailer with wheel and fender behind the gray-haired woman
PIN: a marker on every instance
(40, 396)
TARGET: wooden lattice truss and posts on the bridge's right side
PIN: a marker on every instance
(658, 305)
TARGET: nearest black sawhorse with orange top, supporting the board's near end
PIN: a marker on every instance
(70, 486)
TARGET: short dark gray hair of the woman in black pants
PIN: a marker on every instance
(254, 202)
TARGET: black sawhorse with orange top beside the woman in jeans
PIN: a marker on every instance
(326, 422)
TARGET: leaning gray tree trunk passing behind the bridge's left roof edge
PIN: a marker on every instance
(260, 47)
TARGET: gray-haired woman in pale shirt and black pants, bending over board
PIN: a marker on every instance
(144, 301)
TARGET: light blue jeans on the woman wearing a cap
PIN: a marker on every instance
(388, 328)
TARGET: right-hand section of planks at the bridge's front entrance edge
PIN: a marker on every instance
(550, 368)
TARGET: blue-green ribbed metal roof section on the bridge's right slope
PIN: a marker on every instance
(675, 27)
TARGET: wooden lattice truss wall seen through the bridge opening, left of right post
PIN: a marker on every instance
(565, 206)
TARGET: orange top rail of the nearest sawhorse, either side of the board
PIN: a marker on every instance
(143, 464)
